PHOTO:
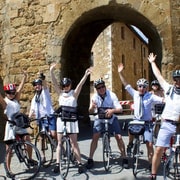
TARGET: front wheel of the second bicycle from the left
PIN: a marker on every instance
(43, 143)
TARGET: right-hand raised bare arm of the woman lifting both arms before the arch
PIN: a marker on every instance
(82, 81)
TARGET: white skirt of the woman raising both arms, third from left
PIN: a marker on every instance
(72, 127)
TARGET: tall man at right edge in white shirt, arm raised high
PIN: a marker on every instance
(170, 115)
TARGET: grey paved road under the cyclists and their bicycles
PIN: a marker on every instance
(97, 173)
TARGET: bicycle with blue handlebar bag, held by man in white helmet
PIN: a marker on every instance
(136, 128)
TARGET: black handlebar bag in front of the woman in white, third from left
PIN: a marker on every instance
(69, 112)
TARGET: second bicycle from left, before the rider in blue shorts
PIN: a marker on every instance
(44, 141)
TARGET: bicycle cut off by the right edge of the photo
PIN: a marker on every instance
(171, 159)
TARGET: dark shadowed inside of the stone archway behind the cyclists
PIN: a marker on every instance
(77, 44)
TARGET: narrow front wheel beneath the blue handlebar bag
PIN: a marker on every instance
(135, 152)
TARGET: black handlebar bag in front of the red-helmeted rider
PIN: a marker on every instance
(21, 120)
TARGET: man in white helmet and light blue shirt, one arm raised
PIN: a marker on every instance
(142, 110)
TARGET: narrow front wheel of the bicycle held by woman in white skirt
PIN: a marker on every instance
(64, 157)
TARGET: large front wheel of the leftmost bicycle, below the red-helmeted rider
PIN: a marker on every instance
(20, 164)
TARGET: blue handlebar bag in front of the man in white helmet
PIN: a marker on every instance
(136, 129)
